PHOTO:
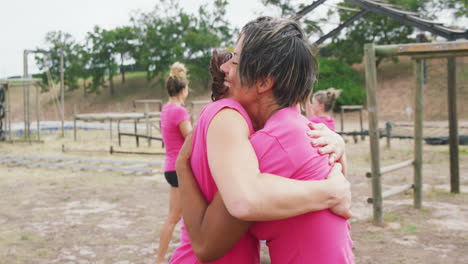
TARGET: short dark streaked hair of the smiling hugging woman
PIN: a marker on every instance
(278, 48)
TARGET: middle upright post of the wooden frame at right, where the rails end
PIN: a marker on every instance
(418, 133)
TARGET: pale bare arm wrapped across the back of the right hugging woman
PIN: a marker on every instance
(251, 195)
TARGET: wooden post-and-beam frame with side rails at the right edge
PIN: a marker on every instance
(418, 52)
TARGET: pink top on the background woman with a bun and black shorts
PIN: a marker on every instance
(171, 116)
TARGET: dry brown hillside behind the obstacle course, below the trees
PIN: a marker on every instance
(395, 93)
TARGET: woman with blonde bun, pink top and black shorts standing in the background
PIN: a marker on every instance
(175, 126)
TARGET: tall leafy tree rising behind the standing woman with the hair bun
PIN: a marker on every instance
(168, 34)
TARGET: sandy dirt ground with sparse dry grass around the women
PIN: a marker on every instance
(71, 216)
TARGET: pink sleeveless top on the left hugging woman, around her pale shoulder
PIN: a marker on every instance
(246, 251)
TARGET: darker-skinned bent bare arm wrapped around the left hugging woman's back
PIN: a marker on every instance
(212, 230)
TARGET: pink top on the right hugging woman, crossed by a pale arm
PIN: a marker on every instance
(321, 237)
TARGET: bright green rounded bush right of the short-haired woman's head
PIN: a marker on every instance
(337, 74)
